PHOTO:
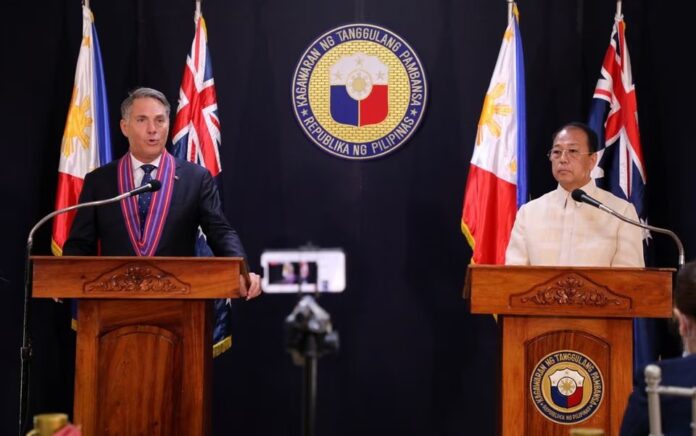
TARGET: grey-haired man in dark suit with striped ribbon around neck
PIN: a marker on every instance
(164, 223)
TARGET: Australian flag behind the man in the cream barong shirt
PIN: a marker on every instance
(621, 168)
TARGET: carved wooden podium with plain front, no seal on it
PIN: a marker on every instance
(144, 351)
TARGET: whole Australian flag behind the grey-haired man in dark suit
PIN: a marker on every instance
(196, 138)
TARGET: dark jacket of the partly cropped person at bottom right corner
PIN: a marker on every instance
(675, 411)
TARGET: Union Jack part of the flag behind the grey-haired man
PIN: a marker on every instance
(196, 132)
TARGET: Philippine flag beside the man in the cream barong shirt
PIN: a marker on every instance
(497, 182)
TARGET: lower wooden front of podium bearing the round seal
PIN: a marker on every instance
(566, 372)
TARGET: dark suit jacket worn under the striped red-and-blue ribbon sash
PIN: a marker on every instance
(195, 201)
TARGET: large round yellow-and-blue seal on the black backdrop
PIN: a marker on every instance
(359, 91)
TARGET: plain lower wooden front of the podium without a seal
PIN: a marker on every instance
(146, 364)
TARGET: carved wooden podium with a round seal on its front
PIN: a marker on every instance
(567, 340)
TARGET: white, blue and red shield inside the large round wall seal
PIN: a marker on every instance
(359, 90)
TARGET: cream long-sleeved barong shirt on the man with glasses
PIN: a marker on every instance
(556, 230)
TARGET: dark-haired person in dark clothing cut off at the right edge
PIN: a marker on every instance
(675, 411)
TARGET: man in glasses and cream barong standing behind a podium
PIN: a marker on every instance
(556, 230)
